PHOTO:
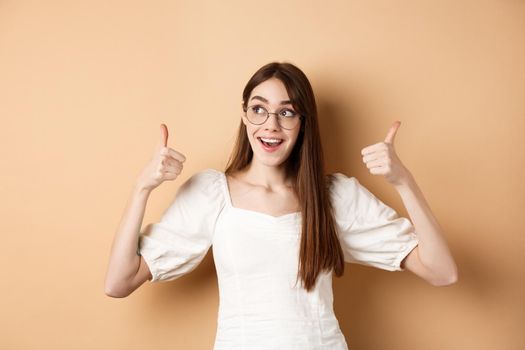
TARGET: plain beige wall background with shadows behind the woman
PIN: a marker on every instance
(85, 85)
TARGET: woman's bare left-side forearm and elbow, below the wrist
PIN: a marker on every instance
(127, 270)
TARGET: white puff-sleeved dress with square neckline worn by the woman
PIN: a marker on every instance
(256, 257)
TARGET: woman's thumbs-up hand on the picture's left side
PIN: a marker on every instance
(165, 165)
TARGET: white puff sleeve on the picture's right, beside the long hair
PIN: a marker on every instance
(371, 233)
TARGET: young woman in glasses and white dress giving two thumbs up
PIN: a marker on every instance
(278, 225)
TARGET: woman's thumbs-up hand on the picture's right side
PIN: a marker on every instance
(381, 158)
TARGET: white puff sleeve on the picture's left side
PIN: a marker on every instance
(179, 242)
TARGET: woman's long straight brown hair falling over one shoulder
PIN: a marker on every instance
(320, 248)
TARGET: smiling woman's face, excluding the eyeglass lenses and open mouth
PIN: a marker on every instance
(271, 94)
